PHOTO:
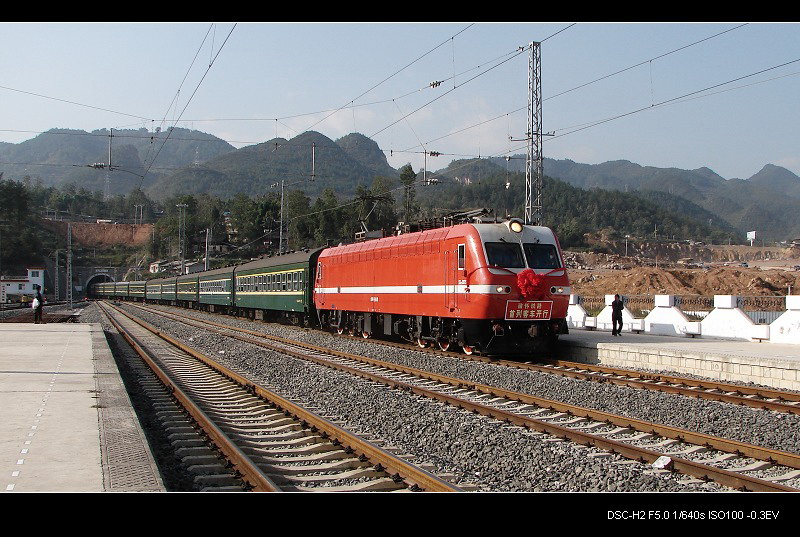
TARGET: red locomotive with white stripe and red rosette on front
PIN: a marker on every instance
(494, 288)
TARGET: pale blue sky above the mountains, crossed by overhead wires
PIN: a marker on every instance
(688, 97)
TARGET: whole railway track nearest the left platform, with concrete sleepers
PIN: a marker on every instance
(272, 443)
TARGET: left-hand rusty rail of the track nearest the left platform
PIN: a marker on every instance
(250, 472)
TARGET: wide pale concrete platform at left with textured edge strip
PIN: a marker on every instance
(66, 422)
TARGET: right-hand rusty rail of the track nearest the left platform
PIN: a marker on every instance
(415, 477)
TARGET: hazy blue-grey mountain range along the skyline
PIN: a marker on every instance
(182, 161)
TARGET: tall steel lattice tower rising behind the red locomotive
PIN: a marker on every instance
(533, 178)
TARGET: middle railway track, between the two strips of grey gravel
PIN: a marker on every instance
(733, 464)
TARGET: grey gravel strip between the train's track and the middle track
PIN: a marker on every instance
(774, 430)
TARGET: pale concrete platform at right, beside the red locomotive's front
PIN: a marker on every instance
(770, 364)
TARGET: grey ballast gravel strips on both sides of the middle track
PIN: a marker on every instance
(479, 451)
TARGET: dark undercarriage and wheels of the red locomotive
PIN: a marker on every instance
(471, 335)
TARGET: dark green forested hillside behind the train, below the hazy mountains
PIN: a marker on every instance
(573, 212)
